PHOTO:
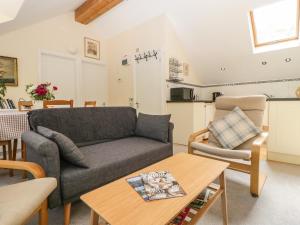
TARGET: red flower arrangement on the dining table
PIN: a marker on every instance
(41, 92)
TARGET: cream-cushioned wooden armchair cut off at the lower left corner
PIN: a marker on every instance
(19, 202)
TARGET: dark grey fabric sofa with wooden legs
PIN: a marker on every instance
(106, 137)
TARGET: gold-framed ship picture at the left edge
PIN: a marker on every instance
(9, 71)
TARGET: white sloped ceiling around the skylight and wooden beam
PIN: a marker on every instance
(215, 34)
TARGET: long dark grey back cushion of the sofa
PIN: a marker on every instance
(86, 126)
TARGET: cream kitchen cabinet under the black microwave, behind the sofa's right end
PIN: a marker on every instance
(189, 117)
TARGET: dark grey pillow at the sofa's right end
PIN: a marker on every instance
(153, 126)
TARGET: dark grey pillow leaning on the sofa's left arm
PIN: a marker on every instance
(68, 150)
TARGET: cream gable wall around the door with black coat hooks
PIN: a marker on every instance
(157, 34)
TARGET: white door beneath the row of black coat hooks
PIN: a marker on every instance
(149, 85)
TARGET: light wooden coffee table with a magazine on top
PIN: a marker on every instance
(118, 203)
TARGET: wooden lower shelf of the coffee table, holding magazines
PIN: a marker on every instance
(194, 214)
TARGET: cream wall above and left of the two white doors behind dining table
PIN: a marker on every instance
(60, 34)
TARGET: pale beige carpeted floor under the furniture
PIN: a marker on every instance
(279, 203)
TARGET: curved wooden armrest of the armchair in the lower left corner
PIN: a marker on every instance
(32, 168)
